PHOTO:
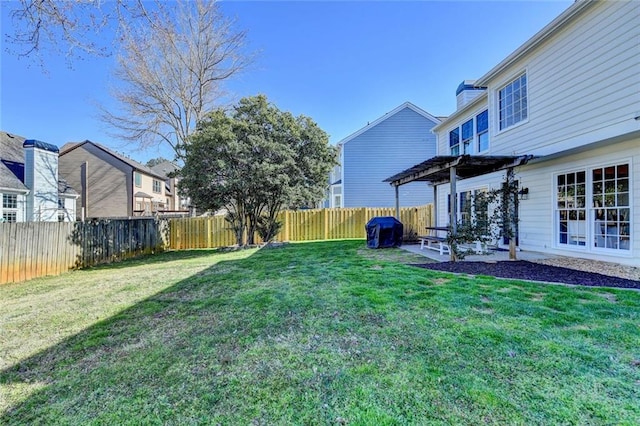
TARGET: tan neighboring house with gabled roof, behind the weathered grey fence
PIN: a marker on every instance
(110, 184)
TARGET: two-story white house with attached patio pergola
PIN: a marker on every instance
(569, 97)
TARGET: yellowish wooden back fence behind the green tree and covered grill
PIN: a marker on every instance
(303, 225)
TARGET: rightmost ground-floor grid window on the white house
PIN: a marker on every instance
(611, 208)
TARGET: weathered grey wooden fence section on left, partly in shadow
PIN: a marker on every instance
(34, 249)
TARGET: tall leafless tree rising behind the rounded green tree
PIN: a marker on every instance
(170, 72)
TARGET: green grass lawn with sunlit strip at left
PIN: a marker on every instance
(313, 333)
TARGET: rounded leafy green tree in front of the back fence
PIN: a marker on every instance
(254, 160)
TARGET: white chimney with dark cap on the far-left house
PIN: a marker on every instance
(41, 177)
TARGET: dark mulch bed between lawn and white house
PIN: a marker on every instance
(523, 270)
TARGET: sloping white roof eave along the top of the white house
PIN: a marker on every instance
(558, 23)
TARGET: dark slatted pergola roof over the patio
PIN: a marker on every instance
(437, 169)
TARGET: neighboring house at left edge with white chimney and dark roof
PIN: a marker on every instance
(30, 187)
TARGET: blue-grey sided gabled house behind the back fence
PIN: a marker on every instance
(368, 156)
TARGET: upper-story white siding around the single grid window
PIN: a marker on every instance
(583, 84)
